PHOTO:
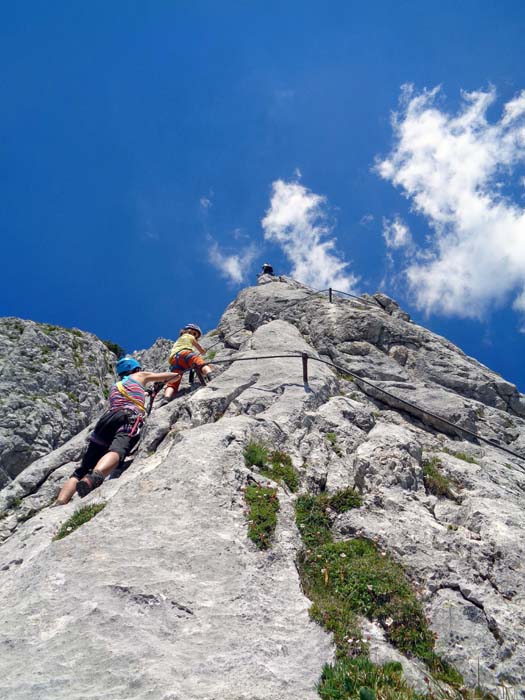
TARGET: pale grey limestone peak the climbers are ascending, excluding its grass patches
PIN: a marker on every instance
(163, 596)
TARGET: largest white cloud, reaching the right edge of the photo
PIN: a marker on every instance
(453, 169)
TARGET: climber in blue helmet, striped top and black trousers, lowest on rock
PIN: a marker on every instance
(117, 430)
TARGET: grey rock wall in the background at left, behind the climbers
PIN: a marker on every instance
(53, 382)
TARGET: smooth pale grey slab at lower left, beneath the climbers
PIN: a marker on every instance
(165, 591)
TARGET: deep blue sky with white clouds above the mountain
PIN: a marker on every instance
(154, 155)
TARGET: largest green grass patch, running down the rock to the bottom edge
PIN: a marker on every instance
(346, 580)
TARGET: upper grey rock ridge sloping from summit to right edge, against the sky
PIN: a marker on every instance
(331, 327)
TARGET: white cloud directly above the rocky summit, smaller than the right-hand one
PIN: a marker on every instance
(296, 220)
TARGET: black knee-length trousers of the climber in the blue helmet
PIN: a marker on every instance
(116, 431)
